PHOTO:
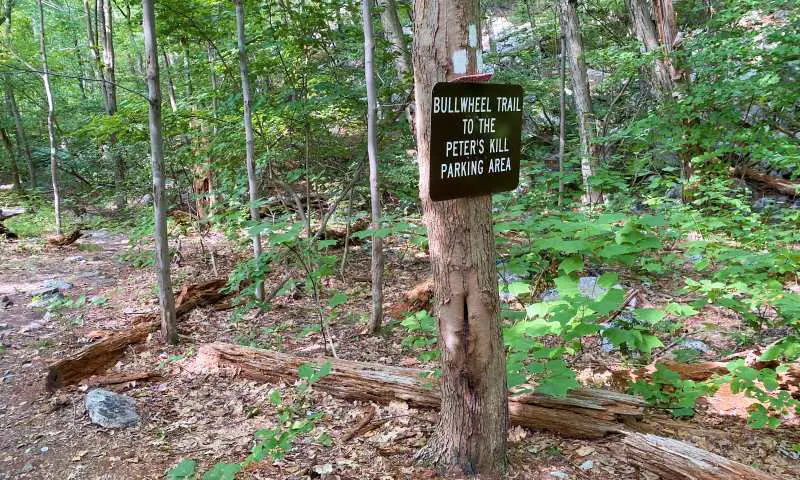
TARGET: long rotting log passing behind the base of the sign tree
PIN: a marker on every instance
(584, 413)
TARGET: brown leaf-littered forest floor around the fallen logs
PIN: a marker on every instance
(212, 418)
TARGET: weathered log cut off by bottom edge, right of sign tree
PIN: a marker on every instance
(676, 460)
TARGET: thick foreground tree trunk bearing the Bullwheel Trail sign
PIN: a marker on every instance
(471, 433)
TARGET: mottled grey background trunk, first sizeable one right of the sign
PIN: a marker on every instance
(571, 30)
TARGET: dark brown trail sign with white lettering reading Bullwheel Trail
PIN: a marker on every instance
(476, 131)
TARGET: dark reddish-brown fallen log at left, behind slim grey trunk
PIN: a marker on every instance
(102, 355)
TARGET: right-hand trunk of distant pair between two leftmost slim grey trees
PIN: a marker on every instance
(110, 80)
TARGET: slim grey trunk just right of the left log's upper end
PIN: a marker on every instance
(249, 140)
